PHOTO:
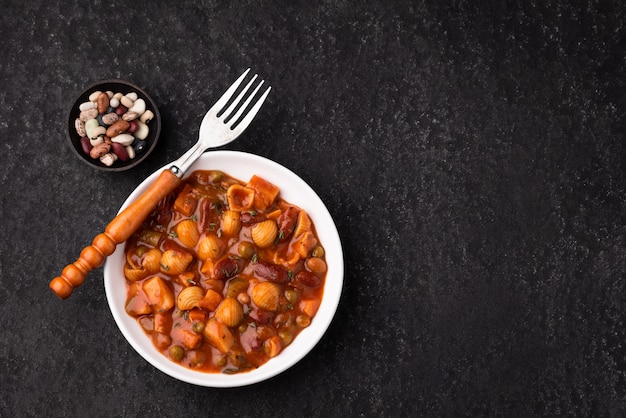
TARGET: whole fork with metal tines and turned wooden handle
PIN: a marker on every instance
(219, 127)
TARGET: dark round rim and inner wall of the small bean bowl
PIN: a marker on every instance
(74, 111)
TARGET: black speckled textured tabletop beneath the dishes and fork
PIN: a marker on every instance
(471, 155)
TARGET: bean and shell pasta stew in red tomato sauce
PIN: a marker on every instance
(223, 275)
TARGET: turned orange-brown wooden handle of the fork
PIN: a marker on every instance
(116, 232)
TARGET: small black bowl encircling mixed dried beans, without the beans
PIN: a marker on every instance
(115, 86)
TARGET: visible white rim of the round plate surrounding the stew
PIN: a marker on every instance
(293, 189)
